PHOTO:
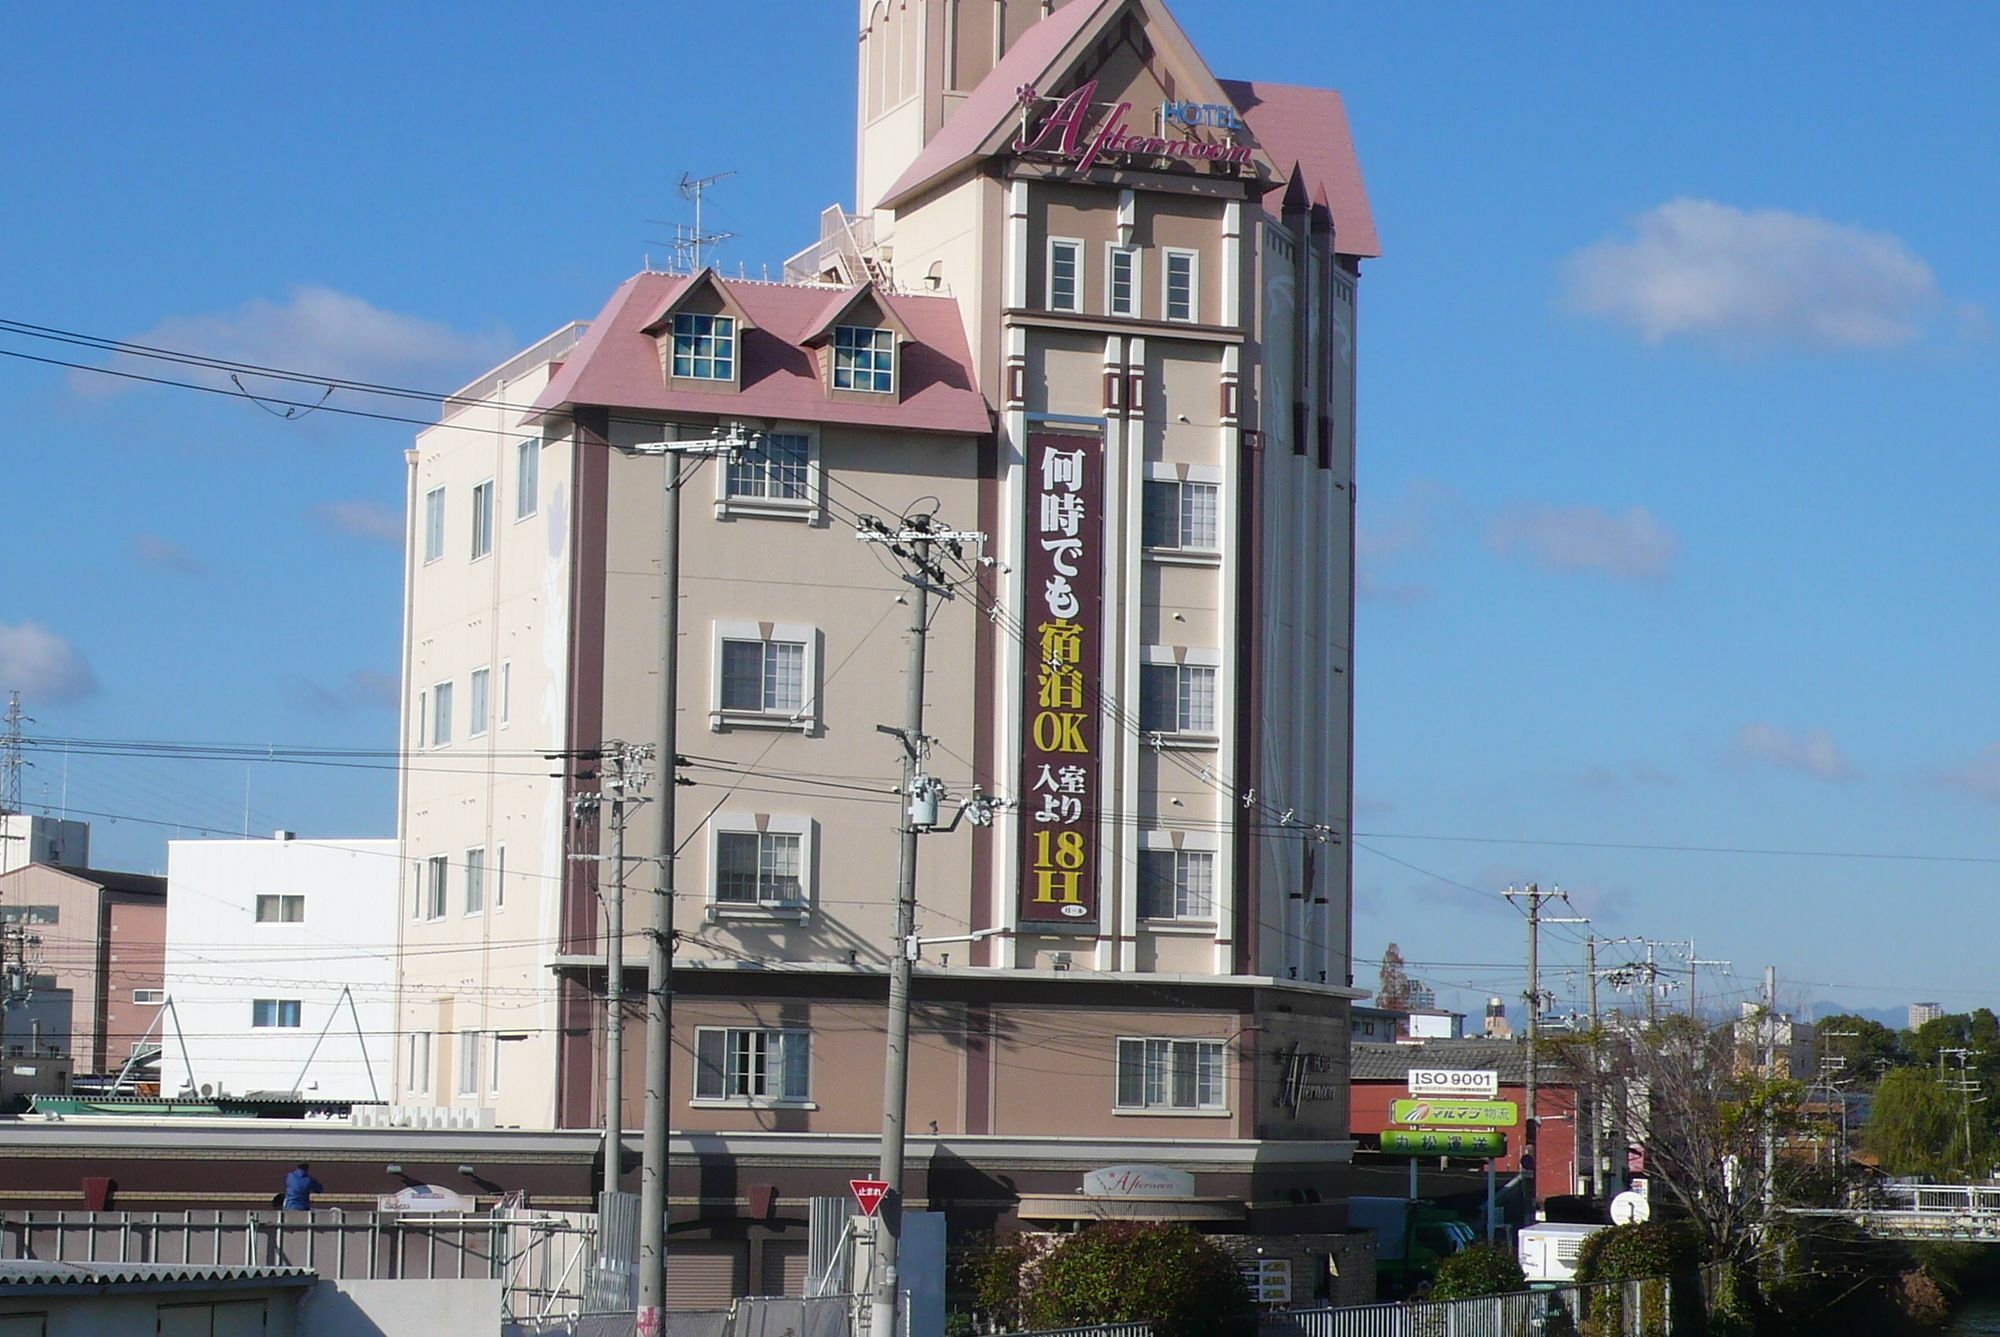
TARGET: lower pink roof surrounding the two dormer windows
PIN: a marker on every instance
(617, 363)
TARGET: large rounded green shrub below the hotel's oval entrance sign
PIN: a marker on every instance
(1165, 1276)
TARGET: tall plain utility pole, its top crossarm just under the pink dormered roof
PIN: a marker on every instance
(651, 1320)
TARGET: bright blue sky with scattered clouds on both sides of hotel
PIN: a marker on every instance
(1677, 435)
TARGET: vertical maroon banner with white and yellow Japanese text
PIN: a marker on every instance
(1063, 659)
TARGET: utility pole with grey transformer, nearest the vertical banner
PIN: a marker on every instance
(913, 541)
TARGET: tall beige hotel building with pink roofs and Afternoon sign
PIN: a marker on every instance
(1099, 307)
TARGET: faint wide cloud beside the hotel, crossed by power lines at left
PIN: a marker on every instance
(315, 331)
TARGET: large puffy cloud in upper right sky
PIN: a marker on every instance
(1697, 269)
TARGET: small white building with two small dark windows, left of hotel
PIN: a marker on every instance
(281, 952)
